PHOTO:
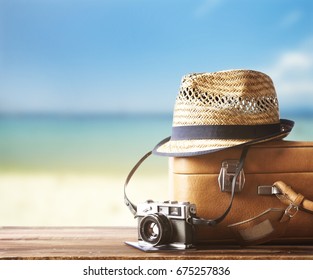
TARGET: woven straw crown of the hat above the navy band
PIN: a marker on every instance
(232, 97)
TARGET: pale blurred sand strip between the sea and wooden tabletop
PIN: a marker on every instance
(57, 199)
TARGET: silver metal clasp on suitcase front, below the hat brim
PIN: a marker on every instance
(227, 173)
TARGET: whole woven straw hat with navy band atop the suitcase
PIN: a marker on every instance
(215, 111)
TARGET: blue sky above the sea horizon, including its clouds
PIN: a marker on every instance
(99, 56)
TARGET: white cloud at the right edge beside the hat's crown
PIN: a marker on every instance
(292, 74)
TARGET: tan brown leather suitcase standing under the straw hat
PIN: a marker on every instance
(259, 212)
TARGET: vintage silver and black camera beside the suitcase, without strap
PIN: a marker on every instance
(167, 223)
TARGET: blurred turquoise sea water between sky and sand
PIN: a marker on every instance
(108, 144)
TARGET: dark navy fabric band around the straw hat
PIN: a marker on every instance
(224, 131)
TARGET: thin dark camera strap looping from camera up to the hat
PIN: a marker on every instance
(196, 220)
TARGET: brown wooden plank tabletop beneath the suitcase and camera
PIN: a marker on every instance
(108, 243)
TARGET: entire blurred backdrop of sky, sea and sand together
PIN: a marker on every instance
(66, 66)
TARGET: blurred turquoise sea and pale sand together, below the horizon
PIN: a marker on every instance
(58, 170)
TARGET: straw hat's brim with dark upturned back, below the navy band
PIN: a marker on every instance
(194, 147)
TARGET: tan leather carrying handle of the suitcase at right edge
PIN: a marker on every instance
(289, 196)
